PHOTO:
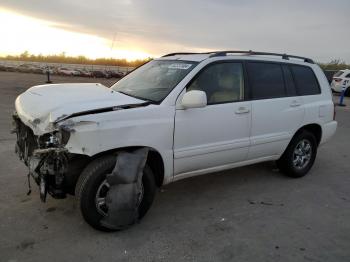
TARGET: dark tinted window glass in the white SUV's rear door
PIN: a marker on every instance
(266, 80)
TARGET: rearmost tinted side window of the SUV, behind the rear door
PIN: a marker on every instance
(305, 80)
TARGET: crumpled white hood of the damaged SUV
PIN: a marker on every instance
(40, 106)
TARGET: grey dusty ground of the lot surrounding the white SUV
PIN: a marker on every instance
(245, 214)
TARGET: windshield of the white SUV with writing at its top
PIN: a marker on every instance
(154, 80)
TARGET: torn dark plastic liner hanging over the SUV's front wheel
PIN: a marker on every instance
(125, 193)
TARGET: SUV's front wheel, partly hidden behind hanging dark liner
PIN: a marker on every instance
(92, 188)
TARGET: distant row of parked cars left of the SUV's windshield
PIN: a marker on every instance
(65, 71)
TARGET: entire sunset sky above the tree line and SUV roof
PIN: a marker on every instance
(140, 28)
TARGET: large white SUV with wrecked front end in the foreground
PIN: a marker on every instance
(195, 113)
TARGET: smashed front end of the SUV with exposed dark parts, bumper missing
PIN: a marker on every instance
(45, 157)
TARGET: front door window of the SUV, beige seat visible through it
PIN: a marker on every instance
(222, 83)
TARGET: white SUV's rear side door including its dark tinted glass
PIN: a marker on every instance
(277, 110)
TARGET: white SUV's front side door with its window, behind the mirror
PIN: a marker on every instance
(211, 138)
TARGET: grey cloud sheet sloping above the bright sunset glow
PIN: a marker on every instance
(318, 29)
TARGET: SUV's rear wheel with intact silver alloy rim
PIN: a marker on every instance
(299, 156)
